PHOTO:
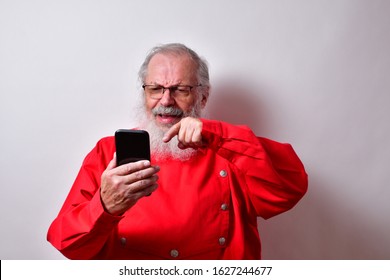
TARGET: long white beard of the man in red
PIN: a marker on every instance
(165, 151)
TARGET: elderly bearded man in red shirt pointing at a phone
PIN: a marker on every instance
(200, 195)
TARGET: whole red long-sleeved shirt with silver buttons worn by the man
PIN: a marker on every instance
(204, 208)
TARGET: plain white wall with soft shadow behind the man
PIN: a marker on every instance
(311, 73)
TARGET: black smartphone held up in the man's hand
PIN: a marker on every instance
(131, 145)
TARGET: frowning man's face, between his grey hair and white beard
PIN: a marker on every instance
(168, 70)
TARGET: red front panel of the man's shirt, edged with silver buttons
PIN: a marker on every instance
(188, 215)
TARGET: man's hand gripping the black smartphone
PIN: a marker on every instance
(122, 186)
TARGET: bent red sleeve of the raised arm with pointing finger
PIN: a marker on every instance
(275, 178)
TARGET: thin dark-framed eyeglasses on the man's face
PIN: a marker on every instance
(179, 92)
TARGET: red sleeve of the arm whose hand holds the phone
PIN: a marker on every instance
(82, 226)
